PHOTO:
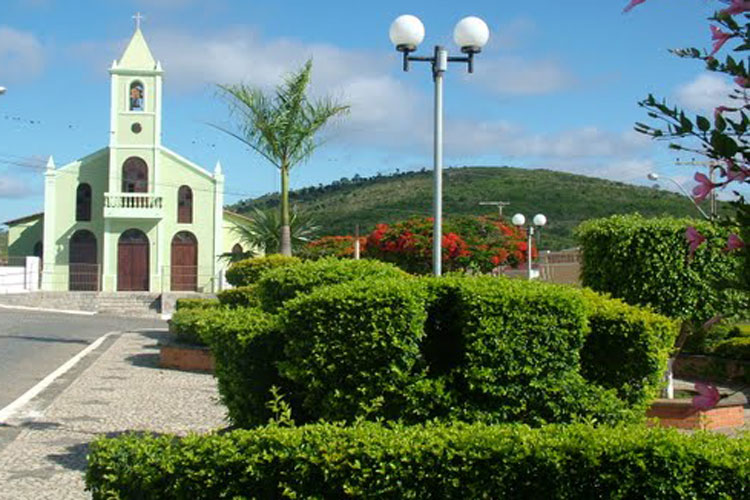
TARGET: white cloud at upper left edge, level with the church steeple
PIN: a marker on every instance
(21, 55)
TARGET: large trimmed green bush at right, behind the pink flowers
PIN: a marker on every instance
(645, 262)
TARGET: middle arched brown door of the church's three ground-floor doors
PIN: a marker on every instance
(132, 261)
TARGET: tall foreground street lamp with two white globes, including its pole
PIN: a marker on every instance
(471, 34)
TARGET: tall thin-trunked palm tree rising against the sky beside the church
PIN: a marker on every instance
(281, 128)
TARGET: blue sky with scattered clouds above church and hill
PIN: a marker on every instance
(556, 87)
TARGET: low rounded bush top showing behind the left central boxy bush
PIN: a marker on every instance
(280, 285)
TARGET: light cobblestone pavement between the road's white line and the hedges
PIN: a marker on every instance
(122, 390)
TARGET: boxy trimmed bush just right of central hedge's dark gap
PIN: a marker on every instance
(508, 351)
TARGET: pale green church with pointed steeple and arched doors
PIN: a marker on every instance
(134, 215)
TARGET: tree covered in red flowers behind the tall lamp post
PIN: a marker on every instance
(479, 244)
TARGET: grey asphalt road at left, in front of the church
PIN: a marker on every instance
(33, 344)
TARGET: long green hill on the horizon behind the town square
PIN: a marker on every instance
(566, 199)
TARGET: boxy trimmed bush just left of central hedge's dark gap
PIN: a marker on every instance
(353, 349)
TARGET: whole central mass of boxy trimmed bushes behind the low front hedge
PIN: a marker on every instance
(474, 349)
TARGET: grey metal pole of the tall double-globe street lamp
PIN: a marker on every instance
(440, 66)
